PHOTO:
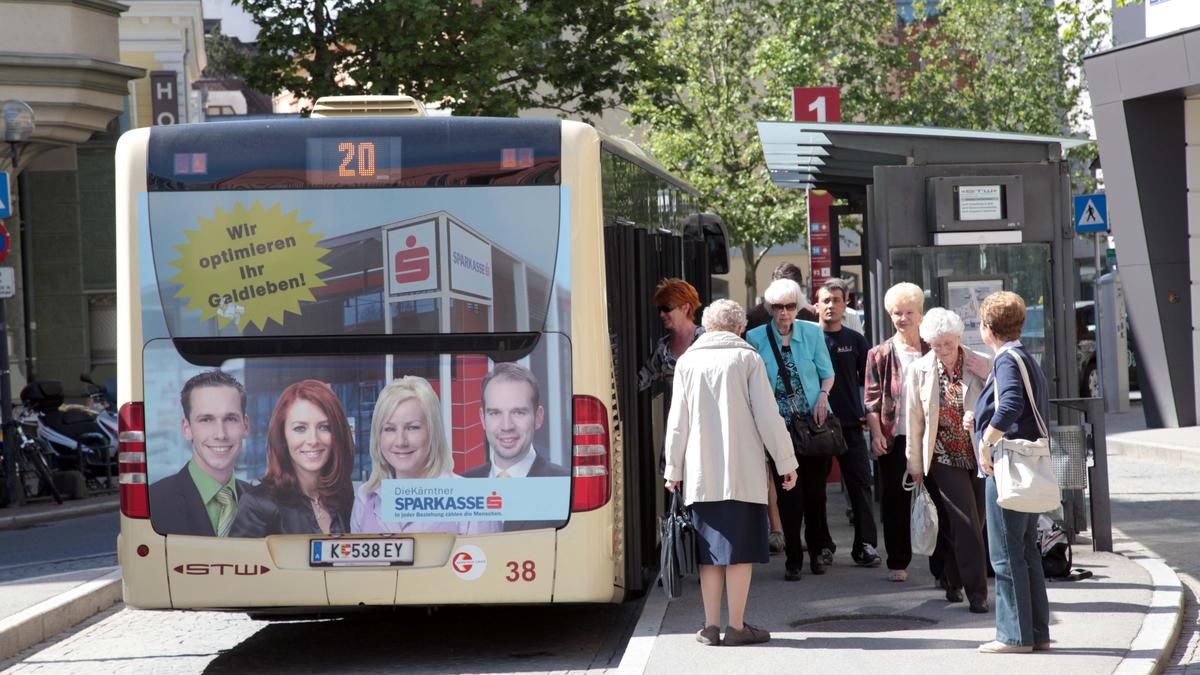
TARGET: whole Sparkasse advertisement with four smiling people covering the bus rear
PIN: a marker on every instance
(410, 439)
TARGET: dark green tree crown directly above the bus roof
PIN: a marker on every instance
(483, 58)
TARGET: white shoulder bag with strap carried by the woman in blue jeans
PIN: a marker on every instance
(1025, 477)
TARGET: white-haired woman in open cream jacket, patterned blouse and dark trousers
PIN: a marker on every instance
(940, 401)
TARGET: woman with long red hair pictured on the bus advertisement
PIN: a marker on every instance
(310, 453)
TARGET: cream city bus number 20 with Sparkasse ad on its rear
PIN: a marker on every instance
(381, 359)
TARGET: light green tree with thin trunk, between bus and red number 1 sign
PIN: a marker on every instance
(737, 63)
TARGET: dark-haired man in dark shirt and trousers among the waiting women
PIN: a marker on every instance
(848, 350)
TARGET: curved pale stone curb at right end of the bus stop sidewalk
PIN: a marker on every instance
(1153, 648)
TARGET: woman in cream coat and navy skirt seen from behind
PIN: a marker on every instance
(723, 414)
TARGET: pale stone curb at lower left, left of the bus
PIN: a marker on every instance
(50, 618)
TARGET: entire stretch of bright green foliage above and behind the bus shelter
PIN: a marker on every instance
(971, 64)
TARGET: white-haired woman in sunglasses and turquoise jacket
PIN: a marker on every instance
(806, 365)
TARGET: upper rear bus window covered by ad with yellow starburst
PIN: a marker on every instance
(320, 262)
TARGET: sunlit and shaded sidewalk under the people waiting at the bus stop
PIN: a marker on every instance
(854, 620)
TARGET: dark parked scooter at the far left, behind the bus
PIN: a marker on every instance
(79, 439)
